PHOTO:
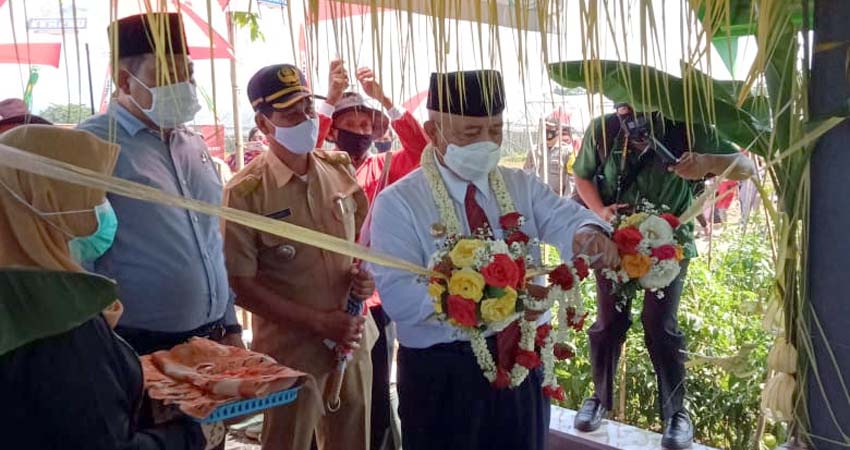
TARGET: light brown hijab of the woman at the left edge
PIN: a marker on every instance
(27, 239)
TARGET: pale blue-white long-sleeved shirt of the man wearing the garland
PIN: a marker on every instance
(401, 226)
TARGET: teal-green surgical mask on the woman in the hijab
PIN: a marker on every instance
(82, 248)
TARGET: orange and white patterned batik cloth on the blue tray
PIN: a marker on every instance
(201, 375)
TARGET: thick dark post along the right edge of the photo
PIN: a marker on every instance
(828, 373)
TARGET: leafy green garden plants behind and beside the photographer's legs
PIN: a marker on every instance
(720, 315)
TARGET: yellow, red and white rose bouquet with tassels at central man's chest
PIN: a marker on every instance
(482, 288)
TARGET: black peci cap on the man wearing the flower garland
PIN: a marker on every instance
(477, 93)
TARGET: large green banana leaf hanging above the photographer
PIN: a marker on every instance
(697, 99)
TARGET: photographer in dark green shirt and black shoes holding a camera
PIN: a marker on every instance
(628, 158)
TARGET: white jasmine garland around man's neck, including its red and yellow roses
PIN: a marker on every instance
(480, 285)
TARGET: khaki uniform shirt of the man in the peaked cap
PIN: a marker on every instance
(329, 201)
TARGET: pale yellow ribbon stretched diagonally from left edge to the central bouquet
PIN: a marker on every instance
(48, 167)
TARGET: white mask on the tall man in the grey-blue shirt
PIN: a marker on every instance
(171, 105)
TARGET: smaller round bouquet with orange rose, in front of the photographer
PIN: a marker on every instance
(650, 244)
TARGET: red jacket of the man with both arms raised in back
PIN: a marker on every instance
(403, 161)
